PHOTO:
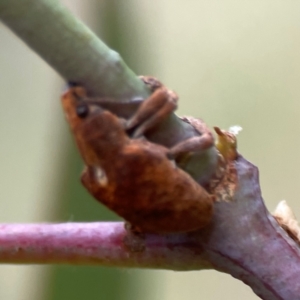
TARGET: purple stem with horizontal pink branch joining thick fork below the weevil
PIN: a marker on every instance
(243, 240)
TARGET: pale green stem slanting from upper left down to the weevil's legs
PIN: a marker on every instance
(71, 48)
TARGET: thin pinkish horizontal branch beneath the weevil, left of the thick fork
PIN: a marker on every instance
(90, 243)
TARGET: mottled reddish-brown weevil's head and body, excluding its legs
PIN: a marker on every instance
(133, 177)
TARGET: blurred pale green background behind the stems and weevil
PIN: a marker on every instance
(231, 62)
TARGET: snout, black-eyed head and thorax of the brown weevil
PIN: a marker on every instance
(98, 133)
